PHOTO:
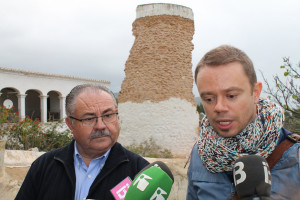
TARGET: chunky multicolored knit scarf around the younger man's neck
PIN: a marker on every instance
(259, 137)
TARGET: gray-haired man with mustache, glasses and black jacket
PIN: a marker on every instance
(94, 162)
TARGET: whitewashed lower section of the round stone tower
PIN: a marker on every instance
(172, 124)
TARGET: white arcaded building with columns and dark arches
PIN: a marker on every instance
(38, 95)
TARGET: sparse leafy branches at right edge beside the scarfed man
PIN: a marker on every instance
(286, 91)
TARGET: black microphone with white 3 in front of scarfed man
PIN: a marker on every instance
(252, 178)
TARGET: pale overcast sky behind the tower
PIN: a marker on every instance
(92, 38)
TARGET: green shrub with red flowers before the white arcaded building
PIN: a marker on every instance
(28, 133)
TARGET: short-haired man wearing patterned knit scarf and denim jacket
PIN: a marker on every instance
(238, 122)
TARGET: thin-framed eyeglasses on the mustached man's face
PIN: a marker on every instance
(92, 121)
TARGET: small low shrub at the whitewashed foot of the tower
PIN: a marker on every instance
(149, 148)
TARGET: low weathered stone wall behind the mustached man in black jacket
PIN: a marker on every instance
(17, 164)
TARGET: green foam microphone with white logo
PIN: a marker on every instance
(154, 182)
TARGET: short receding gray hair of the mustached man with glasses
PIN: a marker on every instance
(72, 96)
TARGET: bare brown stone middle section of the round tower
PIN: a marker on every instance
(159, 66)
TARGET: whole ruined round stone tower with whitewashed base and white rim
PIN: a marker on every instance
(156, 98)
